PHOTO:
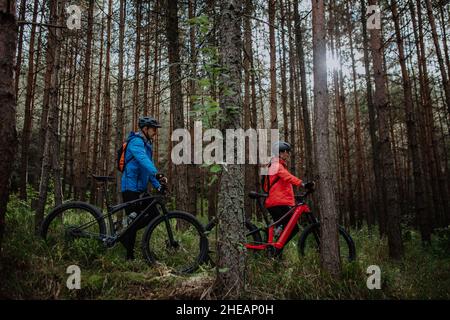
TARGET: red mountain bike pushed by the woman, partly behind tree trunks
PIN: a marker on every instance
(309, 240)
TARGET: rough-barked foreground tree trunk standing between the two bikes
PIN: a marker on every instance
(230, 282)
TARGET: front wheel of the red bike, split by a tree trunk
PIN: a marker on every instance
(309, 242)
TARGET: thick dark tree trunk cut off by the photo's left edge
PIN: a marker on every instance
(8, 135)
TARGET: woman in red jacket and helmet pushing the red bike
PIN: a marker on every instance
(281, 181)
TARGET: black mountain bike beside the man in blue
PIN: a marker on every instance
(175, 239)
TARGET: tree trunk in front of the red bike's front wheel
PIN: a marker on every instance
(329, 244)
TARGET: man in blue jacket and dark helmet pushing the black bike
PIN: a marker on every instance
(138, 172)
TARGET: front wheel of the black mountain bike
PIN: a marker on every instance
(175, 240)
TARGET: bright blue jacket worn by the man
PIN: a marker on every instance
(139, 167)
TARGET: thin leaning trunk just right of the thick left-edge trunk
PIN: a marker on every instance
(26, 131)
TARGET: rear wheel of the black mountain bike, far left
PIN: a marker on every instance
(74, 230)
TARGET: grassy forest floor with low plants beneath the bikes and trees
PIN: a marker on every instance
(30, 271)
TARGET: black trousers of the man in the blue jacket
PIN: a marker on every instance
(129, 239)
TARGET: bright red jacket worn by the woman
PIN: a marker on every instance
(281, 192)
